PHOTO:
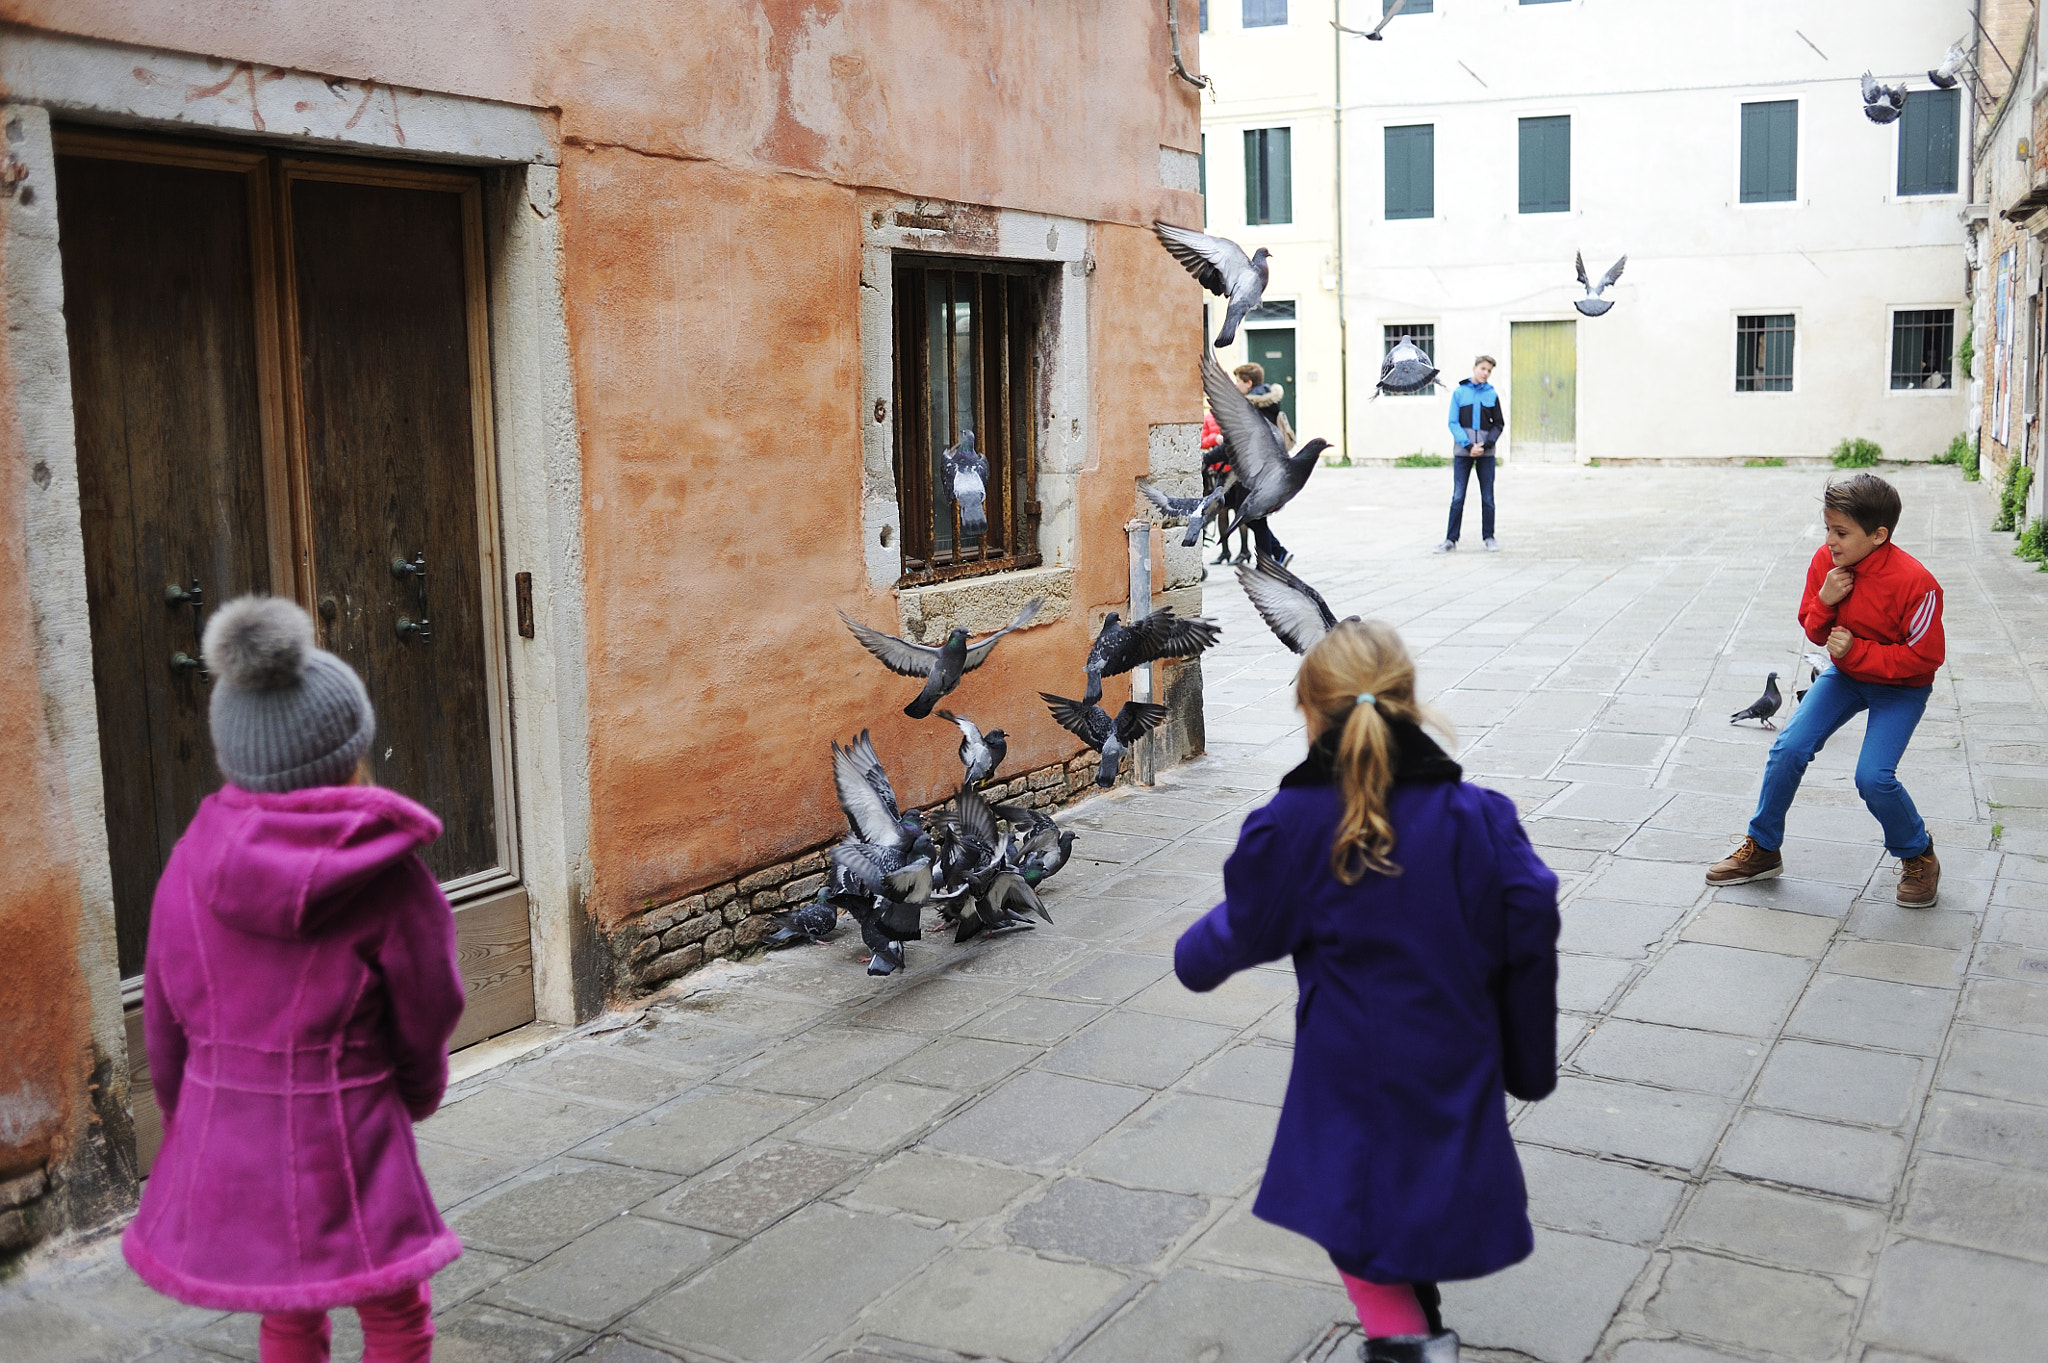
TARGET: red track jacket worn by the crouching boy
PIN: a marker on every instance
(1895, 615)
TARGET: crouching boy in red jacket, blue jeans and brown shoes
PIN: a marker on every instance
(1879, 615)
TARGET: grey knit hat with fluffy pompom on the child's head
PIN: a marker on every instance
(286, 715)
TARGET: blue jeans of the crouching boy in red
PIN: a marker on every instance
(1830, 705)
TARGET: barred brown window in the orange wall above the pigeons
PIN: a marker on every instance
(968, 361)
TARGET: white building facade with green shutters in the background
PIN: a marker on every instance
(1795, 271)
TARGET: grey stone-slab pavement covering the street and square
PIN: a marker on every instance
(1795, 1120)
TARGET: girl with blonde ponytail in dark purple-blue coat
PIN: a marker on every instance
(1424, 938)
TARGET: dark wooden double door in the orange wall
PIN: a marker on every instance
(282, 384)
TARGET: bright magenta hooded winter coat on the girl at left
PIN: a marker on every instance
(300, 996)
